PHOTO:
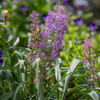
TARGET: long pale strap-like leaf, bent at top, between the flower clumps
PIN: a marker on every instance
(69, 73)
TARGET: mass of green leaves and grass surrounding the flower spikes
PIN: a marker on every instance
(66, 79)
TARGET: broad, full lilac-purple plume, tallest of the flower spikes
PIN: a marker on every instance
(54, 31)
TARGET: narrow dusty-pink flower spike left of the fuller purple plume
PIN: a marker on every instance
(34, 45)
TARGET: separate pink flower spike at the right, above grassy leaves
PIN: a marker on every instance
(89, 60)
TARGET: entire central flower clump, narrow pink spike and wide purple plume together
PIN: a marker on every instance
(46, 40)
